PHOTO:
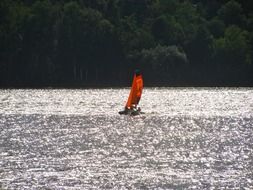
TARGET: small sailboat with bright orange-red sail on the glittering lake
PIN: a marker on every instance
(131, 107)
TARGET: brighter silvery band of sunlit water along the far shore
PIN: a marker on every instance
(162, 101)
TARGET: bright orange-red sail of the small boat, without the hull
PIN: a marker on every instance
(136, 91)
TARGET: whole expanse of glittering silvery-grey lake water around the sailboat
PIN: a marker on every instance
(188, 138)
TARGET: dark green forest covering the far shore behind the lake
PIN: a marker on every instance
(99, 43)
